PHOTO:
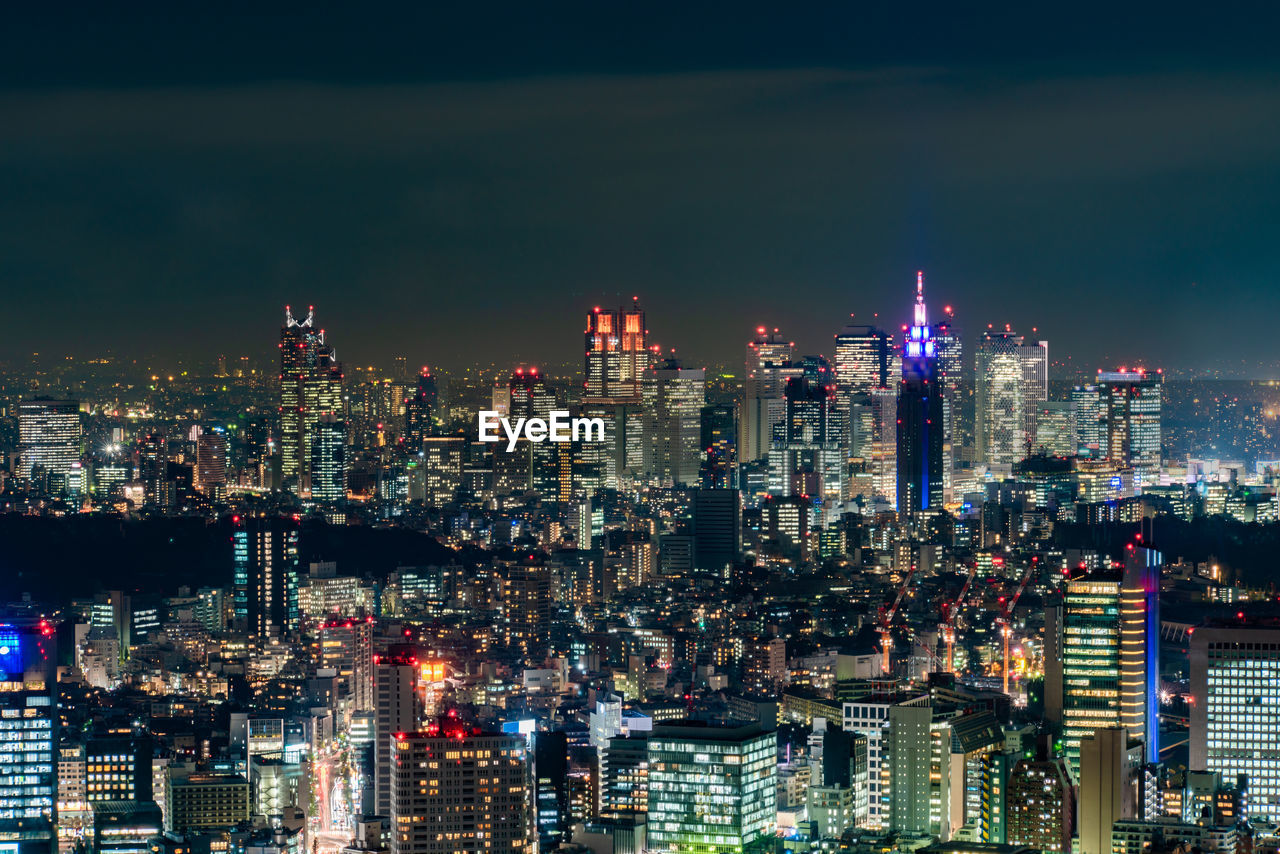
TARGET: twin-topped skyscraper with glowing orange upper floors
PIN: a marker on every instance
(618, 355)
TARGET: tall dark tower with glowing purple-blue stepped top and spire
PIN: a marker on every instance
(921, 428)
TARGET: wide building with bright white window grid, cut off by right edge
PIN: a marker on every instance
(1235, 718)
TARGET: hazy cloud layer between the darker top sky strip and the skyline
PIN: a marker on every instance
(481, 218)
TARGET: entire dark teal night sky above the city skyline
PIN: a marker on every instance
(464, 184)
